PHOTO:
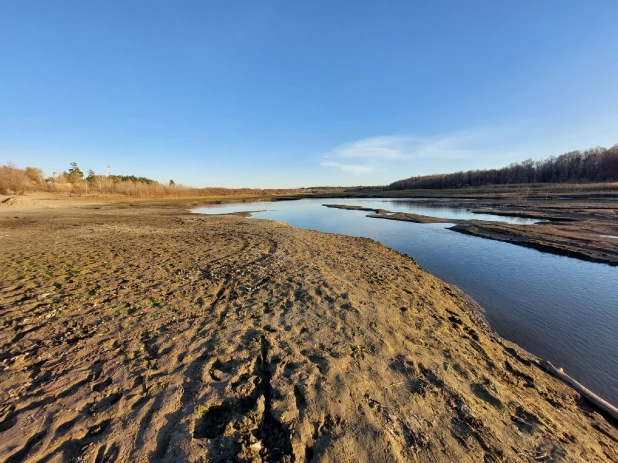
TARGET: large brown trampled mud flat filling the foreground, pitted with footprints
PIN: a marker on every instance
(149, 334)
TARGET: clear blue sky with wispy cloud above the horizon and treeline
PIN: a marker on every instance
(301, 93)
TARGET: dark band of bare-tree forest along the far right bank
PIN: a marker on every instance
(592, 165)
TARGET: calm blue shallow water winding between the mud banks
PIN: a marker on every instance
(559, 308)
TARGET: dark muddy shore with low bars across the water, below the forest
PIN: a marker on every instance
(583, 228)
